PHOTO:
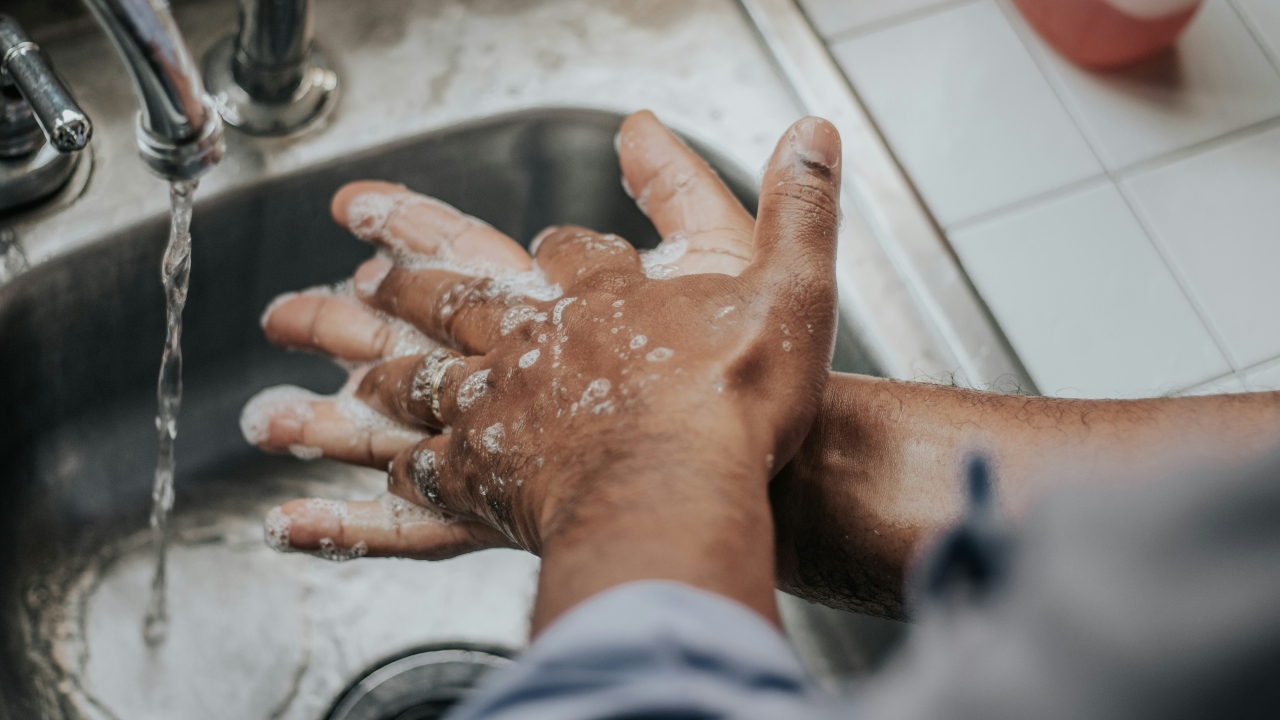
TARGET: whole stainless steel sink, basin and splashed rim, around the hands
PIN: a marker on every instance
(506, 110)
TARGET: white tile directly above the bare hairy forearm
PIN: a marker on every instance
(1086, 300)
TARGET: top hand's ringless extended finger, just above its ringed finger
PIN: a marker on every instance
(465, 312)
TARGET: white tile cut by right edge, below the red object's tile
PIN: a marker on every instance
(1218, 217)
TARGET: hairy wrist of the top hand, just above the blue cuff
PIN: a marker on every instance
(694, 513)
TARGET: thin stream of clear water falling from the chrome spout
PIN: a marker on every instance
(175, 274)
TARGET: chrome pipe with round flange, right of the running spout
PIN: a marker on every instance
(271, 78)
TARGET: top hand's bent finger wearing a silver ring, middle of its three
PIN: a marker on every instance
(401, 389)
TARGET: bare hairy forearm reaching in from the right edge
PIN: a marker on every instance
(880, 471)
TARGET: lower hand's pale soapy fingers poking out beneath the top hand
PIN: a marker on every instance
(683, 197)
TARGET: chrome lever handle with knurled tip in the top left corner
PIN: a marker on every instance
(66, 126)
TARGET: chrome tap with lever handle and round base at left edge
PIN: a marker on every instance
(42, 129)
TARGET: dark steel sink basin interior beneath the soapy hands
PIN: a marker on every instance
(254, 634)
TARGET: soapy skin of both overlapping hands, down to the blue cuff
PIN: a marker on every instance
(643, 454)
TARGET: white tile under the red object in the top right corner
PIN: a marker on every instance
(1217, 81)
